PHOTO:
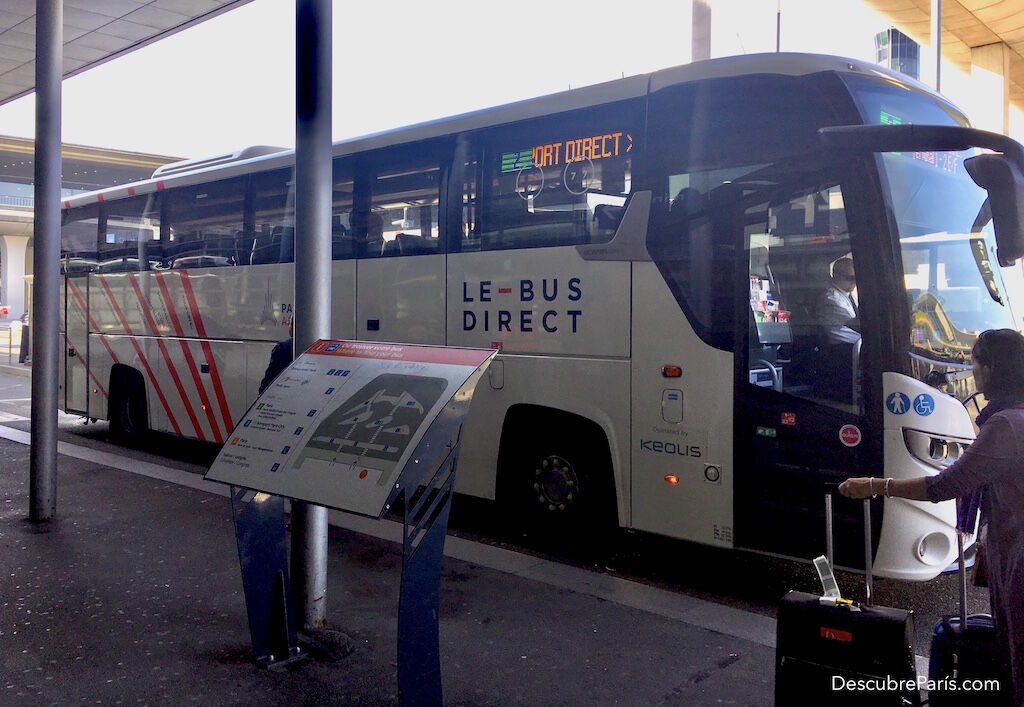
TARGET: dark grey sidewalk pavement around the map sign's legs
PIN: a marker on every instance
(134, 595)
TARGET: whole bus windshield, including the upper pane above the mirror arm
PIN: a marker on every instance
(946, 233)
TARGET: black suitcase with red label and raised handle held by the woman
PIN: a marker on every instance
(844, 654)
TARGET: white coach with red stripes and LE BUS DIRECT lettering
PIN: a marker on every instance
(651, 257)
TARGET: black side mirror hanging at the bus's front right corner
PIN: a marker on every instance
(1005, 184)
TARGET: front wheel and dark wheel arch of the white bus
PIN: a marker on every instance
(556, 477)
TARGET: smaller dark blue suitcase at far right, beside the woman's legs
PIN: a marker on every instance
(966, 654)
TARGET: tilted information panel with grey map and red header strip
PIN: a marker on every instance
(340, 424)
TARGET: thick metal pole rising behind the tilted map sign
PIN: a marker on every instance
(314, 192)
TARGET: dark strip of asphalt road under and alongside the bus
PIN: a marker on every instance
(740, 579)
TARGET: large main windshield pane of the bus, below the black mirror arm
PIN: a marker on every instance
(949, 249)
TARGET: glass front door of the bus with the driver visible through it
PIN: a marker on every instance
(802, 363)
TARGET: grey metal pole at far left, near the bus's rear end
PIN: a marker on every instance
(47, 258)
